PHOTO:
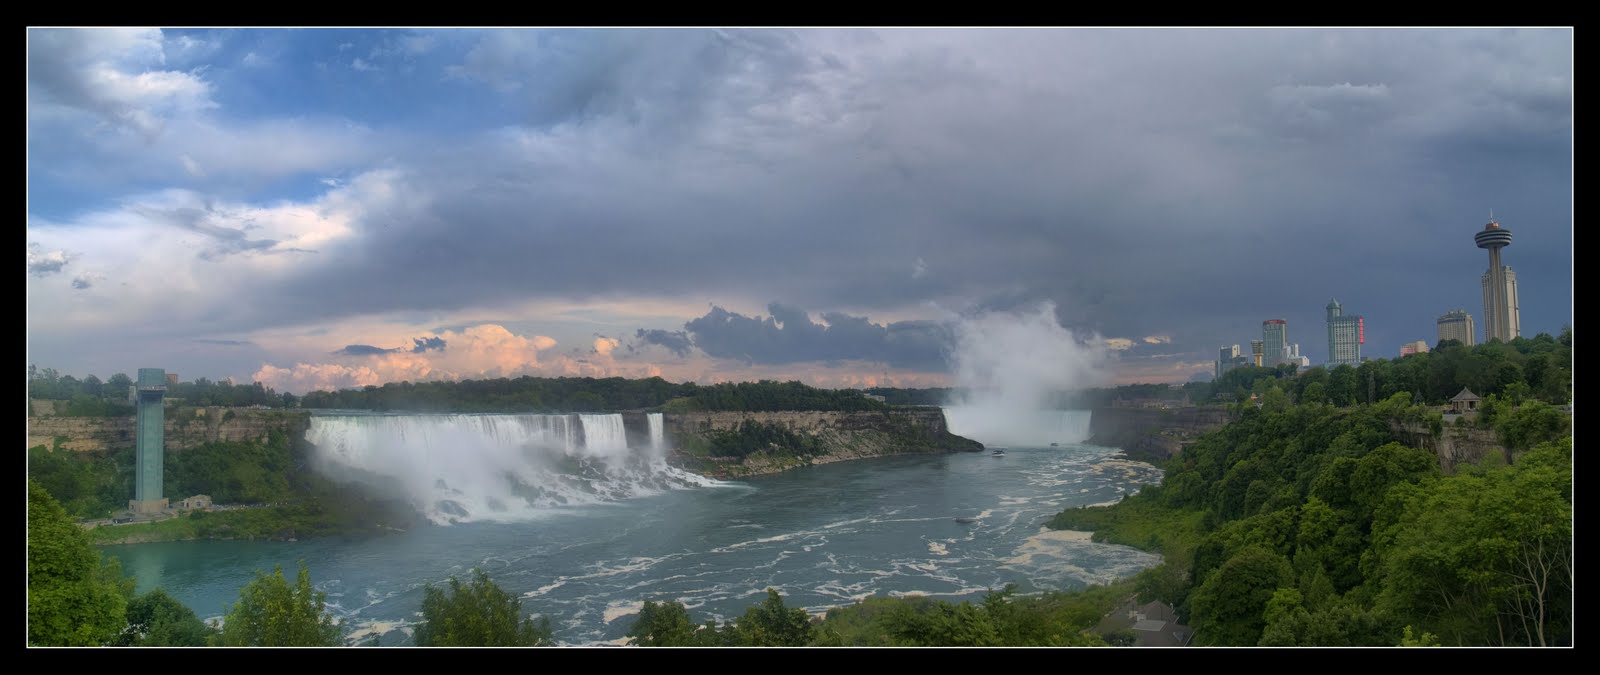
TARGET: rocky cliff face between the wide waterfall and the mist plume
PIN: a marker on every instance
(838, 437)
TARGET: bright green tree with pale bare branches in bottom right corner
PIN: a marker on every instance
(1482, 559)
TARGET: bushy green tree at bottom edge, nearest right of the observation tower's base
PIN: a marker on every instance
(273, 613)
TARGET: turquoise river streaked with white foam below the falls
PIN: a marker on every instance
(823, 537)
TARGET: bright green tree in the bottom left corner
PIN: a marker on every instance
(73, 599)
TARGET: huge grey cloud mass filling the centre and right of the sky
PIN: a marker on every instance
(1185, 183)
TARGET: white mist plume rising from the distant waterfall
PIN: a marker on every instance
(1012, 369)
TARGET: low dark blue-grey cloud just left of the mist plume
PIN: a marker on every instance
(790, 337)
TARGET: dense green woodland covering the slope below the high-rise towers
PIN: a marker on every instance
(1316, 525)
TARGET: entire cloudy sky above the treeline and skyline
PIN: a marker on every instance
(321, 209)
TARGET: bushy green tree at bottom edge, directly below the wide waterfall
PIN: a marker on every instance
(478, 615)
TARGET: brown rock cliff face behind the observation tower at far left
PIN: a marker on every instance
(186, 428)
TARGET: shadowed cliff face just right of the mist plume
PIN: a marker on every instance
(1153, 434)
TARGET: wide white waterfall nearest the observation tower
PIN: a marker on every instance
(463, 468)
